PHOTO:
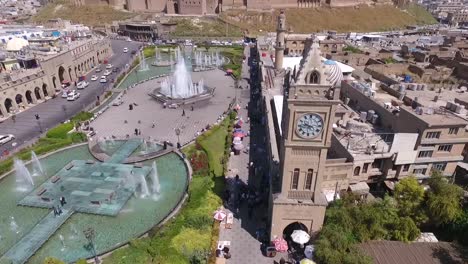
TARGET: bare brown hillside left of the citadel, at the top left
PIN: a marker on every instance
(91, 15)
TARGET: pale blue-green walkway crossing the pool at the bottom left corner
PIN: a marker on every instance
(33, 240)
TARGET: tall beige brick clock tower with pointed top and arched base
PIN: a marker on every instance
(308, 114)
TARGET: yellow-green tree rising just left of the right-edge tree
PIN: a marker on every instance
(409, 195)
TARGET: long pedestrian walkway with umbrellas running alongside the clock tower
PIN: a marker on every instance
(244, 245)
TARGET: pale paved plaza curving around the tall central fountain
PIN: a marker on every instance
(119, 121)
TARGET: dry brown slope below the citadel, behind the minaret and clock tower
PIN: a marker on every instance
(354, 19)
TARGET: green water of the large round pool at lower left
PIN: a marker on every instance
(135, 218)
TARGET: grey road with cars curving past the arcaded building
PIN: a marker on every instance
(26, 127)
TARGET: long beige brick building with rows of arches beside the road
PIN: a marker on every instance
(22, 88)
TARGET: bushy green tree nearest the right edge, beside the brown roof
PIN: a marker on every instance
(444, 200)
